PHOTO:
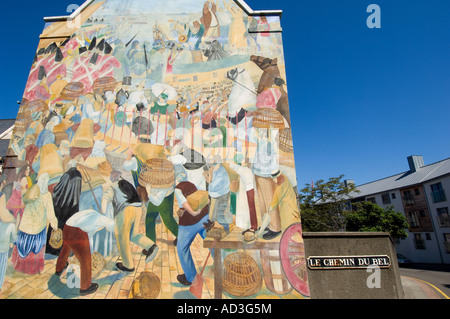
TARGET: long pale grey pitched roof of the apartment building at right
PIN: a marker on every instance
(409, 178)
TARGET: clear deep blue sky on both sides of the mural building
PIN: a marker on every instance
(361, 99)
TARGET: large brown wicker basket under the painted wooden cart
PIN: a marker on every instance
(242, 277)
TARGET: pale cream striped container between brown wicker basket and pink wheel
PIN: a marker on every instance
(274, 276)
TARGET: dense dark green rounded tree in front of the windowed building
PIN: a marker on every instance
(370, 217)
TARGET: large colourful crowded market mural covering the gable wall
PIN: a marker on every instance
(154, 145)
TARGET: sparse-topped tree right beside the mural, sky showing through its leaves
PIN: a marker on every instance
(323, 205)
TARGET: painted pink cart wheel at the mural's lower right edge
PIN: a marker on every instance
(292, 255)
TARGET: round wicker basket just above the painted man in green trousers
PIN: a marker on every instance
(157, 172)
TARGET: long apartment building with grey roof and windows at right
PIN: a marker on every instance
(422, 194)
